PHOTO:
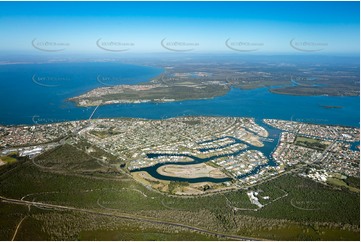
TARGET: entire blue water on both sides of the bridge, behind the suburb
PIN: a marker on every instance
(37, 93)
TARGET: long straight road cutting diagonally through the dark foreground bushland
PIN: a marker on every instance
(123, 216)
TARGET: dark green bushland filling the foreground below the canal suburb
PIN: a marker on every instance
(321, 212)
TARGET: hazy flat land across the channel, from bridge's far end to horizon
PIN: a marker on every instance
(204, 79)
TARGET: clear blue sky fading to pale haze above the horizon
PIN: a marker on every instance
(220, 27)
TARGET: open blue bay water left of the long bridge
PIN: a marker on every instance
(37, 93)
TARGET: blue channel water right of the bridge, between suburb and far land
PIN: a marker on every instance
(257, 103)
